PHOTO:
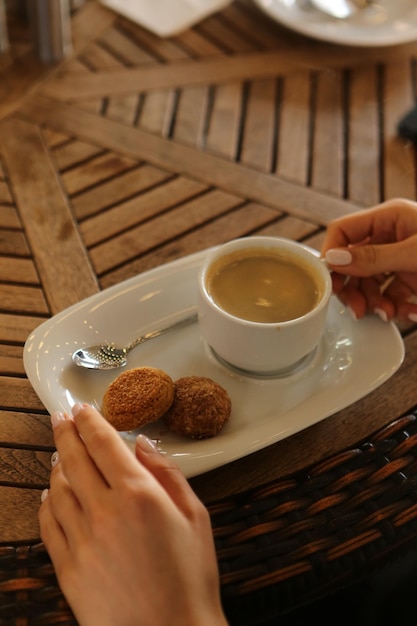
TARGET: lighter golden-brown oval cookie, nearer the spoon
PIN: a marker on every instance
(137, 397)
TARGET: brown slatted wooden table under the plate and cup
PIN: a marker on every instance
(137, 151)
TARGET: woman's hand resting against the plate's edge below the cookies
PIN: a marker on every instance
(130, 542)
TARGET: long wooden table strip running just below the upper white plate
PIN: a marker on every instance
(71, 87)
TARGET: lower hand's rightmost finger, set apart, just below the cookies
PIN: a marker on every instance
(167, 474)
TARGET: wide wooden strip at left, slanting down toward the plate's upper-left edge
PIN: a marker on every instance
(49, 223)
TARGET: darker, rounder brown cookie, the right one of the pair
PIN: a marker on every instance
(200, 409)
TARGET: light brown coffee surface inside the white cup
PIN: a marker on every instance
(263, 285)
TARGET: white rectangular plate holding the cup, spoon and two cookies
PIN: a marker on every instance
(353, 359)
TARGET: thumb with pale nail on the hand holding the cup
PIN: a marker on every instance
(368, 260)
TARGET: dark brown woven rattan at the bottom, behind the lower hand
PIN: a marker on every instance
(279, 546)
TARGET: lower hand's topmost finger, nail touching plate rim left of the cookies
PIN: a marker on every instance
(104, 446)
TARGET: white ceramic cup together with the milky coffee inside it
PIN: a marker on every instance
(263, 303)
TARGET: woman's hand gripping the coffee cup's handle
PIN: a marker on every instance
(373, 258)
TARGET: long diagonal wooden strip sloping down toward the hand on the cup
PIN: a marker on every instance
(212, 170)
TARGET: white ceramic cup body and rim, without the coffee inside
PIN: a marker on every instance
(259, 347)
